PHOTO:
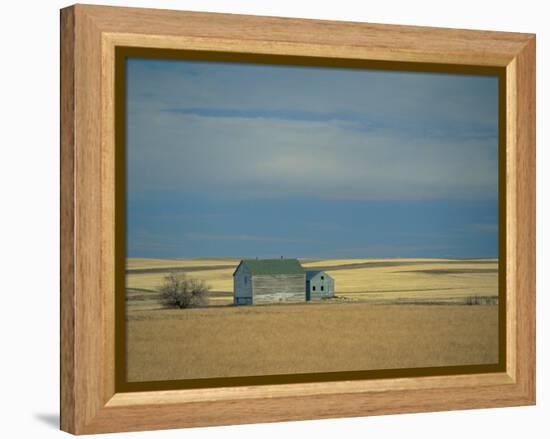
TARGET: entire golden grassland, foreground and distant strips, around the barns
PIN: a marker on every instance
(388, 313)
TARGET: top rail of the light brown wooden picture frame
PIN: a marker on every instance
(333, 38)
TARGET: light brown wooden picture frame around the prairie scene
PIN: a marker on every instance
(89, 38)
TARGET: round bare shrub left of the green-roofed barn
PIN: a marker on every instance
(181, 291)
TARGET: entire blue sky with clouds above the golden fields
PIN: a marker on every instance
(243, 160)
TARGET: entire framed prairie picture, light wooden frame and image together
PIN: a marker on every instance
(268, 219)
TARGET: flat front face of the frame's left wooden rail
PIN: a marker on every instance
(89, 326)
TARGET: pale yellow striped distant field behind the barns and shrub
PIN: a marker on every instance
(371, 280)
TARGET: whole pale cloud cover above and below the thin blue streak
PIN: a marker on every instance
(432, 136)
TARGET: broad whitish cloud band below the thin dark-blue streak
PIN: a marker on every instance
(259, 157)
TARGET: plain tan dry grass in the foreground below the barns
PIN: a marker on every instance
(263, 340)
